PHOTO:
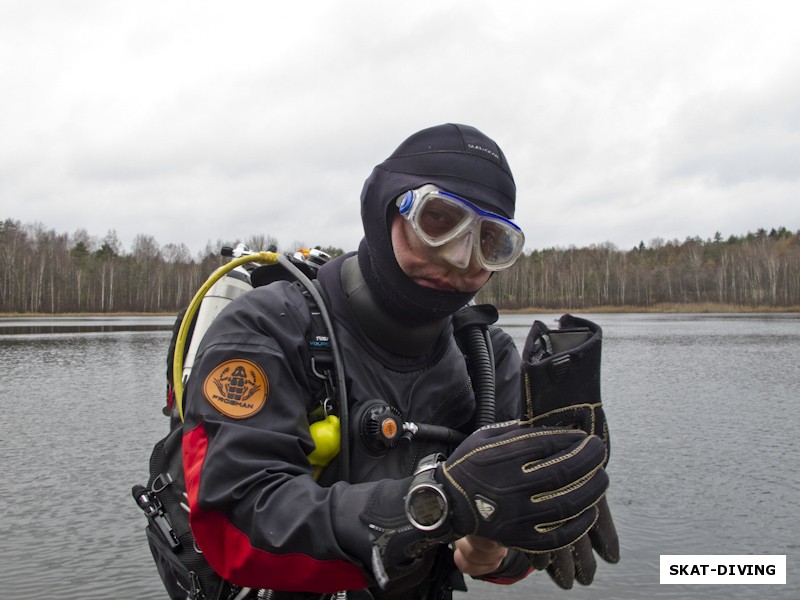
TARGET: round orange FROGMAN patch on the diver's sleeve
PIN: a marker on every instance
(237, 388)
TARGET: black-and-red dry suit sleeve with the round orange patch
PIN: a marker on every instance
(257, 513)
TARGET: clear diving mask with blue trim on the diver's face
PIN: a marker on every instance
(459, 228)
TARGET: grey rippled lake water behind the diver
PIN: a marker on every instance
(703, 411)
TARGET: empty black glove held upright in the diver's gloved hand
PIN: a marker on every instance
(561, 379)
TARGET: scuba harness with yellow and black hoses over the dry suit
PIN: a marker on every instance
(181, 564)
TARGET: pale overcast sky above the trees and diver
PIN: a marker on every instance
(197, 121)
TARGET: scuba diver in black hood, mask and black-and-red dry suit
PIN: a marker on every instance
(431, 478)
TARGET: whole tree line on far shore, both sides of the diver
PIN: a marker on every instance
(43, 271)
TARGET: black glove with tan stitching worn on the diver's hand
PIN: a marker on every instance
(529, 488)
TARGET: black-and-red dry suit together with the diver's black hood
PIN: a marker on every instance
(259, 516)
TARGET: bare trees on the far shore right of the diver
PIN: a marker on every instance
(760, 269)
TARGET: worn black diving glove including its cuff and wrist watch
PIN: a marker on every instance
(529, 488)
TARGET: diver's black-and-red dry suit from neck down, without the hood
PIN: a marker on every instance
(259, 517)
